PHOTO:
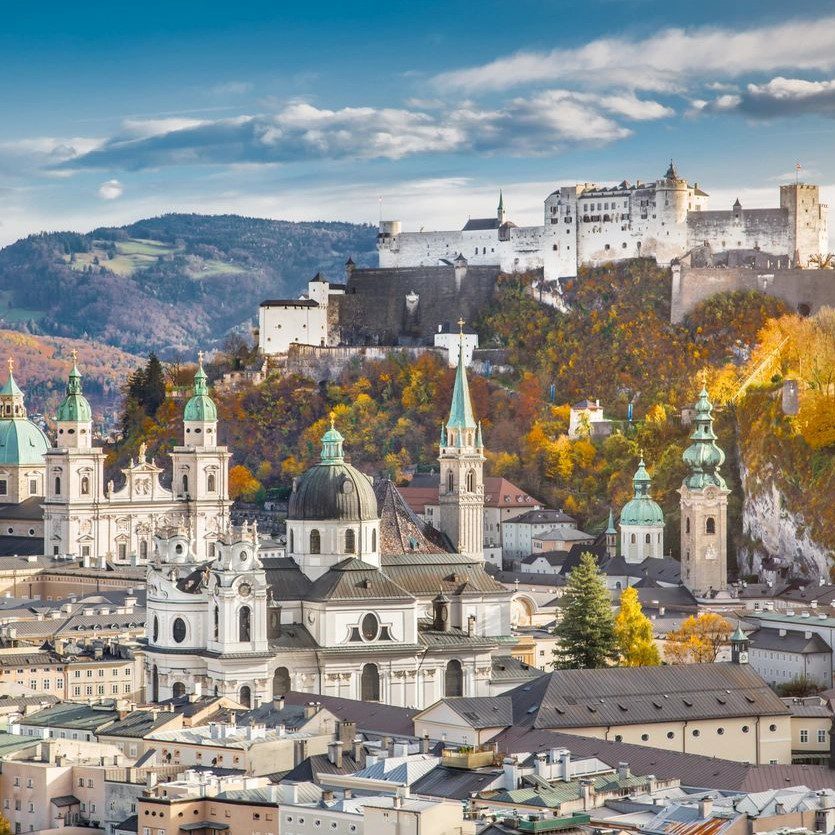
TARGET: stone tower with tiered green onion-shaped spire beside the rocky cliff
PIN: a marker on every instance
(704, 508)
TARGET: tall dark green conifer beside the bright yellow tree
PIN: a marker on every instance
(586, 632)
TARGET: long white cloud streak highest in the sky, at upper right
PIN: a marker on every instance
(664, 61)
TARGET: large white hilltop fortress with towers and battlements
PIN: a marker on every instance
(591, 224)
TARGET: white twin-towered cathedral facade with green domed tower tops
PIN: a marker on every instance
(92, 520)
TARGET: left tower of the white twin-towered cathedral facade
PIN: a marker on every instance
(74, 478)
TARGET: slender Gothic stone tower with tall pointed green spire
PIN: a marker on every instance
(461, 489)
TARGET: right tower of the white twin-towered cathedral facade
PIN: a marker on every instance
(201, 469)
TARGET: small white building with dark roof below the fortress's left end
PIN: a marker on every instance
(302, 321)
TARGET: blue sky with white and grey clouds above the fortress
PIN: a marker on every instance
(420, 111)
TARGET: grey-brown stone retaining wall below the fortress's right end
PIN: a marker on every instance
(805, 291)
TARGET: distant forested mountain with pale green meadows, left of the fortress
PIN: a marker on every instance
(169, 284)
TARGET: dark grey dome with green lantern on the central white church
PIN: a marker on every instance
(333, 489)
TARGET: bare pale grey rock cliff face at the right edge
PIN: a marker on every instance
(777, 541)
